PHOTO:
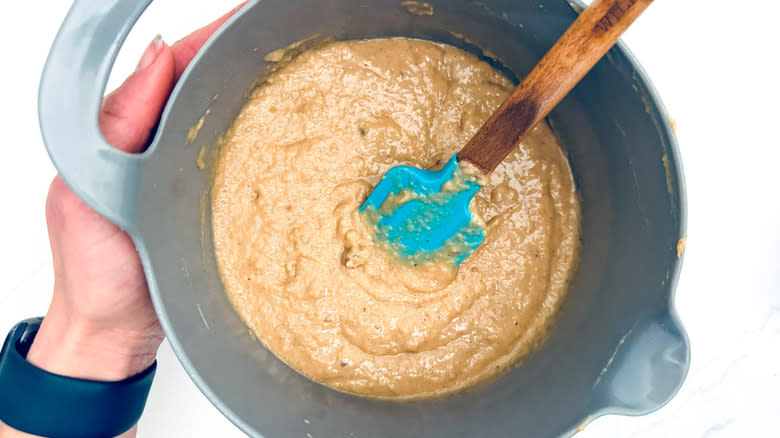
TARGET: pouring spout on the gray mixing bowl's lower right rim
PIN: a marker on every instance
(647, 368)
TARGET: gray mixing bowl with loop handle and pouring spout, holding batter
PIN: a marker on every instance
(618, 347)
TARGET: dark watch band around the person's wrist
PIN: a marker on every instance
(36, 401)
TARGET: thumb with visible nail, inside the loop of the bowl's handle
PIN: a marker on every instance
(130, 113)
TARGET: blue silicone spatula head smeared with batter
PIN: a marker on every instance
(423, 215)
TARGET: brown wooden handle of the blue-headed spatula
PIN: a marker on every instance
(594, 32)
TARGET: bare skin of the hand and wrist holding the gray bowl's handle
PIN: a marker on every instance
(101, 324)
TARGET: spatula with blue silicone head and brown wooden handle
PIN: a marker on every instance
(423, 215)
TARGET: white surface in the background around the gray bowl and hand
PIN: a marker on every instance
(717, 72)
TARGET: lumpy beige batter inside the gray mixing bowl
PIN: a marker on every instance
(299, 264)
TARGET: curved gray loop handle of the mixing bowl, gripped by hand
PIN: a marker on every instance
(69, 99)
